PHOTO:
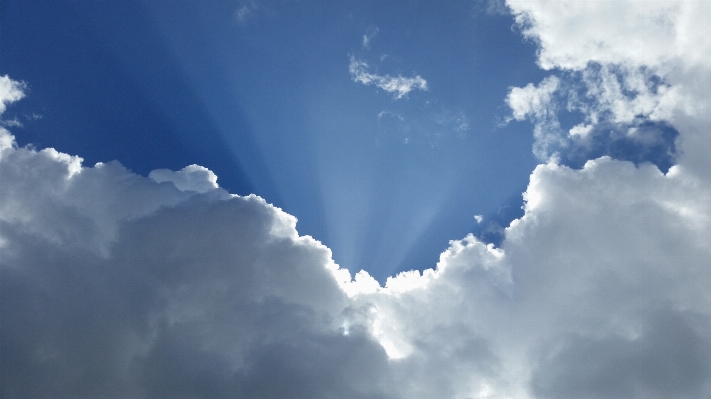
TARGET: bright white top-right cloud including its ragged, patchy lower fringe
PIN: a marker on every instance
(626, 65)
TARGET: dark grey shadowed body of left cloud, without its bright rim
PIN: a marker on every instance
(196, 301)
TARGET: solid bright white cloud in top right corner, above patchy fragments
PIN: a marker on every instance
(653, 34)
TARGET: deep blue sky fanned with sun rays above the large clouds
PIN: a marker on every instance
(261, 94)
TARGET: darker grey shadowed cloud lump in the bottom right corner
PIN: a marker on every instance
(669, 359)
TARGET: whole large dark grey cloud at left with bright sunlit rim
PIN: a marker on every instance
(117, 286)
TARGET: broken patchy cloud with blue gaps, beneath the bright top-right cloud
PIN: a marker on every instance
(610, 98)
